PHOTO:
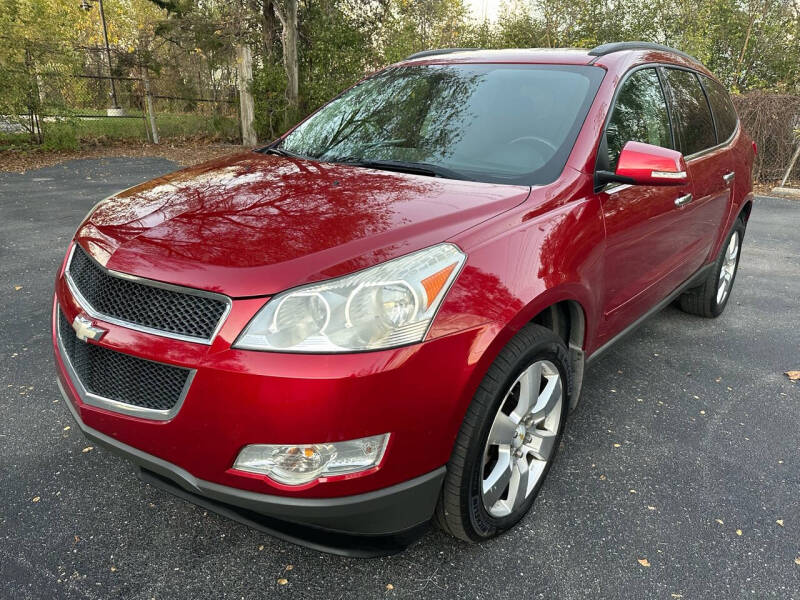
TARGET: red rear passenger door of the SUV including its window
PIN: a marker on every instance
(708, 162)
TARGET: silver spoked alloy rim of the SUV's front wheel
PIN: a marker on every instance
(522, 439)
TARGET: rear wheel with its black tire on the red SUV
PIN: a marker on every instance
(709, 299)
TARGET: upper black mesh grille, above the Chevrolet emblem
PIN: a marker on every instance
(158, 308)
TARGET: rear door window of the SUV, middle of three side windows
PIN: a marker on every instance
(695, 126)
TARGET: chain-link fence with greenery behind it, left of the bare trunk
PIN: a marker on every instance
(62, 96)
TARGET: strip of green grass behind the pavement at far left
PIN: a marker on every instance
(72, 133)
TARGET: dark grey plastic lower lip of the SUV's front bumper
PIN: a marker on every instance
(369, 524)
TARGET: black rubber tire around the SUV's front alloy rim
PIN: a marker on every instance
(484, 524)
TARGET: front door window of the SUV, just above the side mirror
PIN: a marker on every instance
(640, 115)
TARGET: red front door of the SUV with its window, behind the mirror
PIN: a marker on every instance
(647, 248)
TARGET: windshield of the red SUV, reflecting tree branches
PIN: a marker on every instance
(502, 123)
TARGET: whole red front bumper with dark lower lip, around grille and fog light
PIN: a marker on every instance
(418, 394)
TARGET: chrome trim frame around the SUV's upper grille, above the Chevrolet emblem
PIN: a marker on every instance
(92, 312)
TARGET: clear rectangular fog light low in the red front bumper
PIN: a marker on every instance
(303, 463)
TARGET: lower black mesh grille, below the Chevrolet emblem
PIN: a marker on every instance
(116, 376)
